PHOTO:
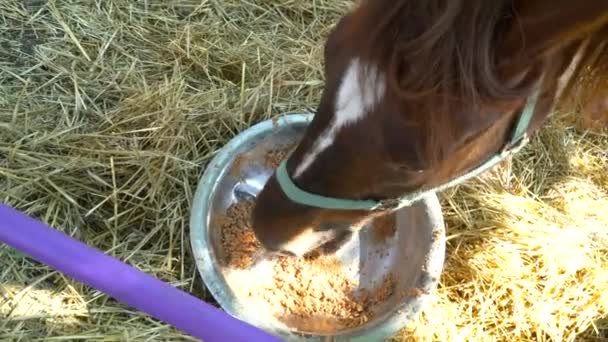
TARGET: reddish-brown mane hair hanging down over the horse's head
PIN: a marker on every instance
(442, 54)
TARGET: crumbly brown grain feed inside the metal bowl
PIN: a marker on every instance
(309, 294)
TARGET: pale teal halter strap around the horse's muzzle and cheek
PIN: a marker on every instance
(519, 138)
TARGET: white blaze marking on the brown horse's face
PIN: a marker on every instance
(355, 99)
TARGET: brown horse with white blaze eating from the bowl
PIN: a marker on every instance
(419, 92)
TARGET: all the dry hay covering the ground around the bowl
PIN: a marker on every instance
(109, 110)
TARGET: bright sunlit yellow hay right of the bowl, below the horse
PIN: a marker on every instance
(527, 247)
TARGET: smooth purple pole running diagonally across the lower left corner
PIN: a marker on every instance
(123, 282)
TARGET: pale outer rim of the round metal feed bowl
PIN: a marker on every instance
(214, 280)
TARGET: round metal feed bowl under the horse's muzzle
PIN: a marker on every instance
(414, 254)
